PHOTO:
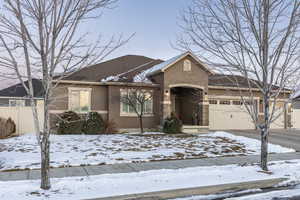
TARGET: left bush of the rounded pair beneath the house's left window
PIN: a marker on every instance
(70, 123)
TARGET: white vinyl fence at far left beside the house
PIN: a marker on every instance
(22, 116)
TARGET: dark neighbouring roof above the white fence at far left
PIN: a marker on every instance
(19, 91)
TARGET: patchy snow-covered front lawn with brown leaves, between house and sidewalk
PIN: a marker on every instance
(74, 150)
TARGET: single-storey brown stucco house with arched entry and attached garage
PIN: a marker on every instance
(182, 85)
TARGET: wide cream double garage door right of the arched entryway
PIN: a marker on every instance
(224, 117)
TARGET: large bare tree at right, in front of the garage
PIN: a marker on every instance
(256, 40)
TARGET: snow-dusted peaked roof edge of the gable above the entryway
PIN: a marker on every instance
(165, 65)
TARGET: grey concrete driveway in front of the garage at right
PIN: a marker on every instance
(287, 138)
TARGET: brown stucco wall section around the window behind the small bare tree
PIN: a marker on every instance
(114, 108)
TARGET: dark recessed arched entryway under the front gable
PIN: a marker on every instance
(186, 103)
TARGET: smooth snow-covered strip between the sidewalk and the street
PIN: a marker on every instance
(146, 181)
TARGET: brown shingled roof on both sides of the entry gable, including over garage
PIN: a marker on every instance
(127, 67)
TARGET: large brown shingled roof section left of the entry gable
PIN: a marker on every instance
(113, 68)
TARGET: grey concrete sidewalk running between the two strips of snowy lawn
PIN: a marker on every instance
(136, 167)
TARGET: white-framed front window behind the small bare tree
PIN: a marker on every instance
(128, 109)
